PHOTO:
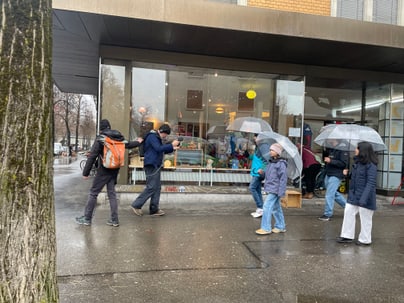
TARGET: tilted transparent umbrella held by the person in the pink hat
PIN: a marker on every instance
(290, 151)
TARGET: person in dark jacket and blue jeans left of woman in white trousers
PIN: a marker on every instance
(335, 161)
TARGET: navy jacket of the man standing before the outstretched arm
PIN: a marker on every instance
(154, 149)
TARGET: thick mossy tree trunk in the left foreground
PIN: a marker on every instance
(27, 224)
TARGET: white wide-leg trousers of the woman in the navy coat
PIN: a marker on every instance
(348, 225)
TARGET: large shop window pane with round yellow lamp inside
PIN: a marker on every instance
(199, 104)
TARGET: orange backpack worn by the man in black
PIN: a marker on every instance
(114, 153)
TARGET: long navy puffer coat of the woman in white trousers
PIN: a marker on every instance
(362, 186)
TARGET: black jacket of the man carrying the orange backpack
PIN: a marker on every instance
(97, 151)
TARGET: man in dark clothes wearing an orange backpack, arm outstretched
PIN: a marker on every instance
(107, 148)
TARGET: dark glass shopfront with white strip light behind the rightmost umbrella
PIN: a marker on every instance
(378, 106)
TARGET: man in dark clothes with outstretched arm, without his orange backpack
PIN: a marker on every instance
(104, 176)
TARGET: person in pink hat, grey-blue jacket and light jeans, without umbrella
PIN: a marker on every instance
(275, 185)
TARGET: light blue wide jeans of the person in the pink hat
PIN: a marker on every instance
(272, 206)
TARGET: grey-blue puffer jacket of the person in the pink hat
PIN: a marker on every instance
(276, 177)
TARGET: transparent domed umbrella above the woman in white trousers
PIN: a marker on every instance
(349, 135)
